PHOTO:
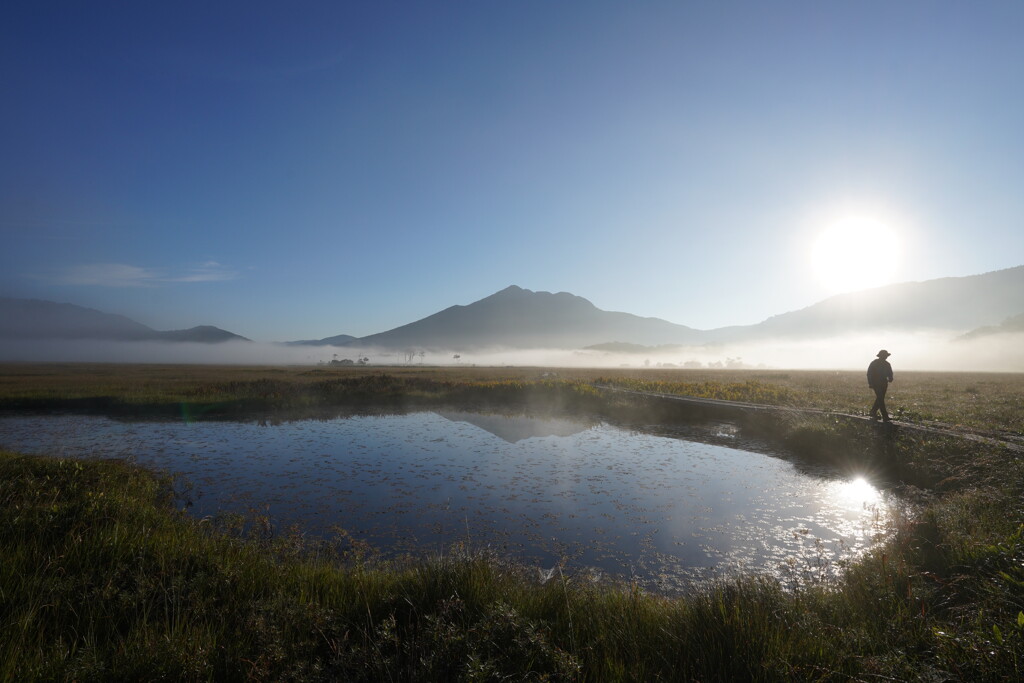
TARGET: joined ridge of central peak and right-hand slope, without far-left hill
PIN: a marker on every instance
(517, 318)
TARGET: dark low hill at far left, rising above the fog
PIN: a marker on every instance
(35, 319)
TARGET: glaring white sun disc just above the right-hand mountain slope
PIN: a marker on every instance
(856, 253)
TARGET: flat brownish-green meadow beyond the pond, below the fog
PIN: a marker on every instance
(992, 403)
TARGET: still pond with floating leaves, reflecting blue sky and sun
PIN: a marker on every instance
(662, 509)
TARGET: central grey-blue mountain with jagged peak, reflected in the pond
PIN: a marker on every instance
(516, 318)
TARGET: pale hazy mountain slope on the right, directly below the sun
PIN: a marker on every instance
(948, 304)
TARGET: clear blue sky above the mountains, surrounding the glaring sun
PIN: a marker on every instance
(301, 170)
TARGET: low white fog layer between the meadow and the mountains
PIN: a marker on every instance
(924, 352)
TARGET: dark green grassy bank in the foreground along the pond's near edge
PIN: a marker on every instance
(103, 579)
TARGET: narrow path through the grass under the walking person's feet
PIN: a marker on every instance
(1012, 443)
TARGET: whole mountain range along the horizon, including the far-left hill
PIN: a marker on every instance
(521, 319)
